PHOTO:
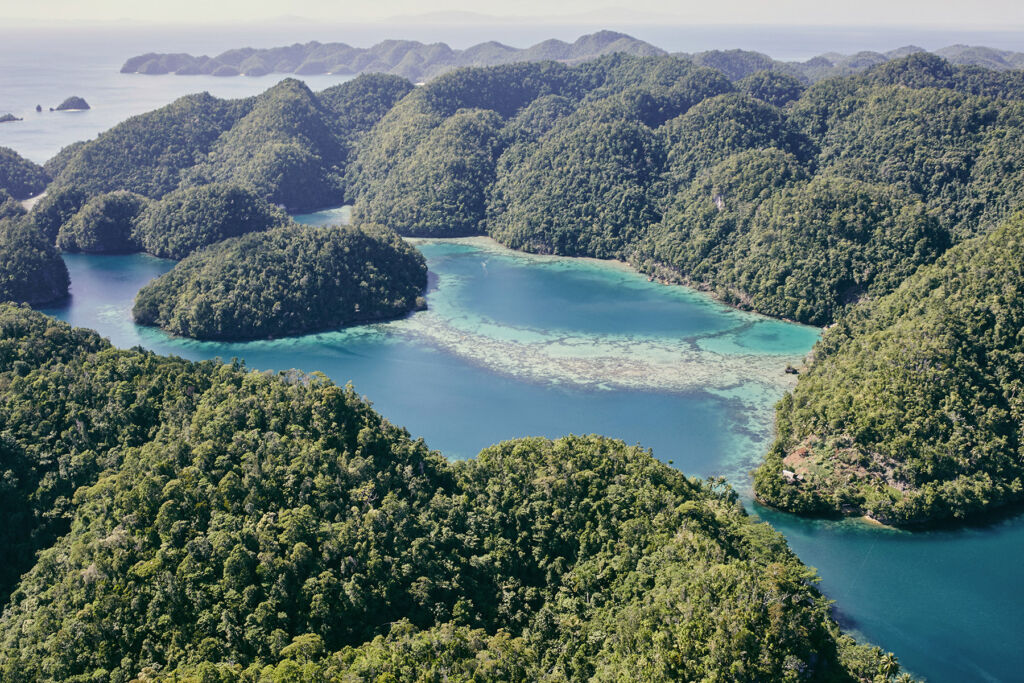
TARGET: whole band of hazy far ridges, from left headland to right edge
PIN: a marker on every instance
(419, 62)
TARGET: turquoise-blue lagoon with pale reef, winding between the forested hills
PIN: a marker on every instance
(515, 346)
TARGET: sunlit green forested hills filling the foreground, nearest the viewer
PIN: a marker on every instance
(203, 522)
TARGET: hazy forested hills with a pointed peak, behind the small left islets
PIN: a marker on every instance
(289, 146)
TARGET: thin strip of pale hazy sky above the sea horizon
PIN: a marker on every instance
(975, 14)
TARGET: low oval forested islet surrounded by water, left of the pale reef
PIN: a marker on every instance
(287, 281)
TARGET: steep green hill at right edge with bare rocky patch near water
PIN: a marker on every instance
(913, 409)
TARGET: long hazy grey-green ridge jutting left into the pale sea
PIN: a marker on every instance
(408, 59)
